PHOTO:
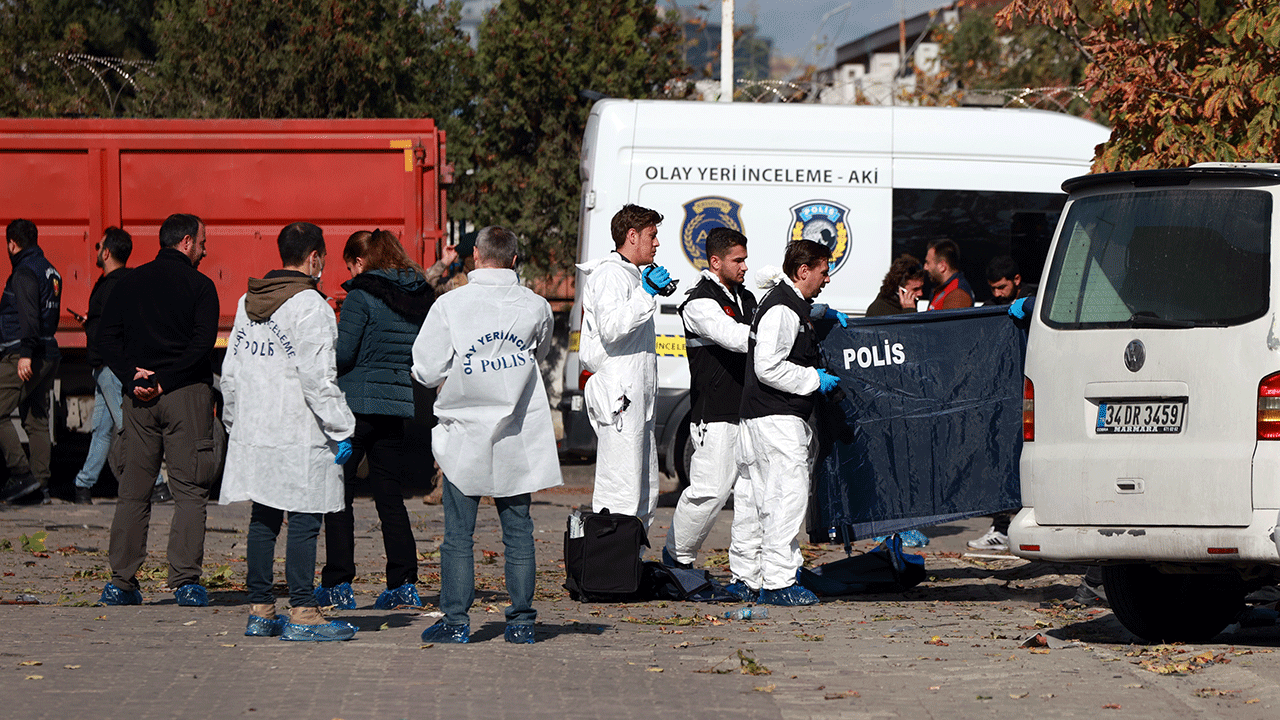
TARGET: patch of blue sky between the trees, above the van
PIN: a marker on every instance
(793, 24)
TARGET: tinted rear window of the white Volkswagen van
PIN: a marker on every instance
(1162, 259)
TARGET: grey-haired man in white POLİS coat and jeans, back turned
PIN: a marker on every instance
(483, 341)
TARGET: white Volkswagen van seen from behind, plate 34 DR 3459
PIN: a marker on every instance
(1153, 395)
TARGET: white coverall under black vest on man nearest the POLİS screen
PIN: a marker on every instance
(775, 457)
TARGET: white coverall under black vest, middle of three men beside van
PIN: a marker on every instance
(714, 470)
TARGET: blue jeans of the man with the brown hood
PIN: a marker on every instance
(300, 555)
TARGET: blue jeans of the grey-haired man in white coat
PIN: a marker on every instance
(458, 557)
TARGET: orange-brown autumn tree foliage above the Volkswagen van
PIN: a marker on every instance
(1180, 81)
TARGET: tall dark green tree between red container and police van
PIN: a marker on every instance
(536, 58)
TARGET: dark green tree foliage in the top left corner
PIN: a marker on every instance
(74, 57)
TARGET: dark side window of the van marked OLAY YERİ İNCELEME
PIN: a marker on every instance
(985, 225)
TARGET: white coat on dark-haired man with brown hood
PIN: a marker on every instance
(284, 409)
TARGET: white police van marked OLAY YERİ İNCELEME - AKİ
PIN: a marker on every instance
(871, 181)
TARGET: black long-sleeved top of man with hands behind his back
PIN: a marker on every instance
(163, 317)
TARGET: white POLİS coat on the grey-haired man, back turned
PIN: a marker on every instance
(483, 341)
